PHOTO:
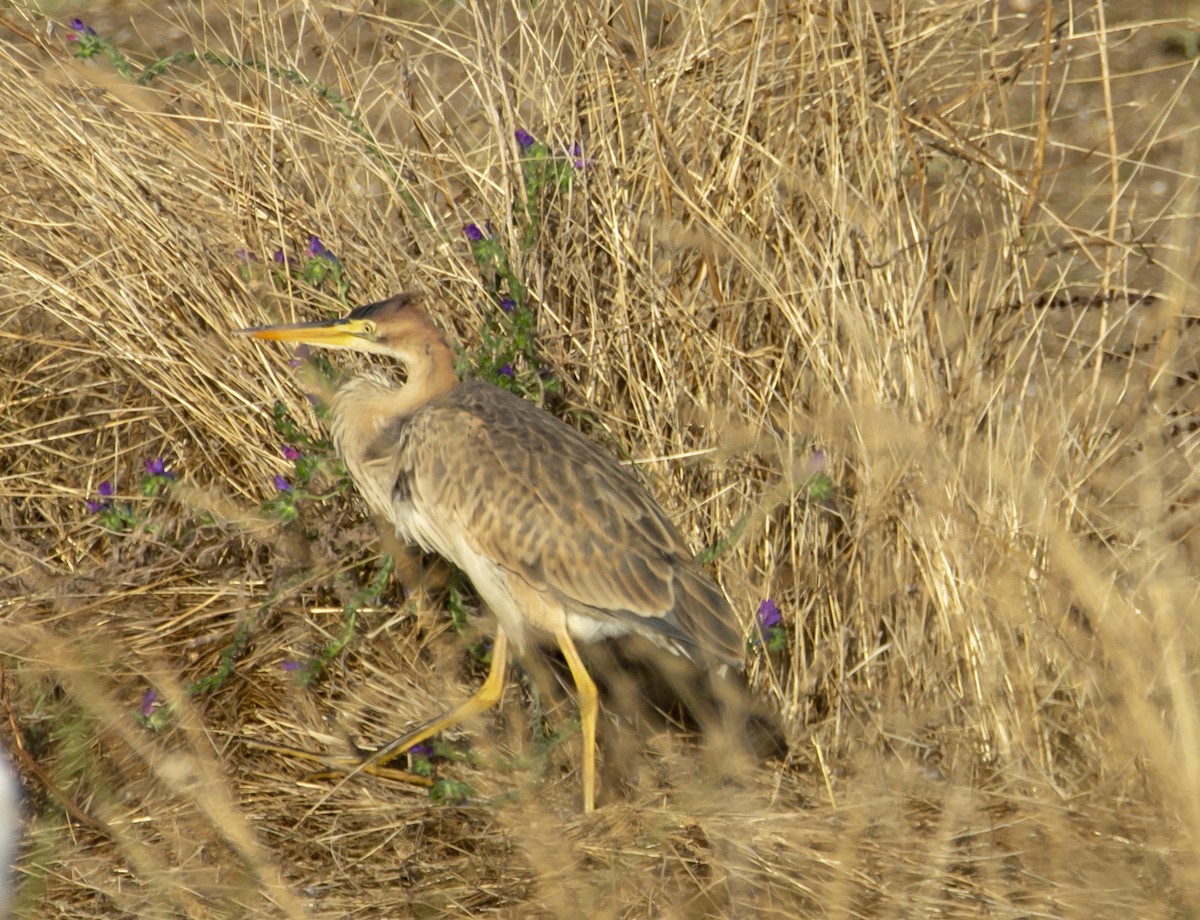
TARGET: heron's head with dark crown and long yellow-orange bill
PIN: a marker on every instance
(394, 327)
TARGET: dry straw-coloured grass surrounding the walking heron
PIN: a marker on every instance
(940, 245)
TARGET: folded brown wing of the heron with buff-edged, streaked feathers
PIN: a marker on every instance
(554, 508)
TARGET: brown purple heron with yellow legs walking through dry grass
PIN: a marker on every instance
(560, 540)
